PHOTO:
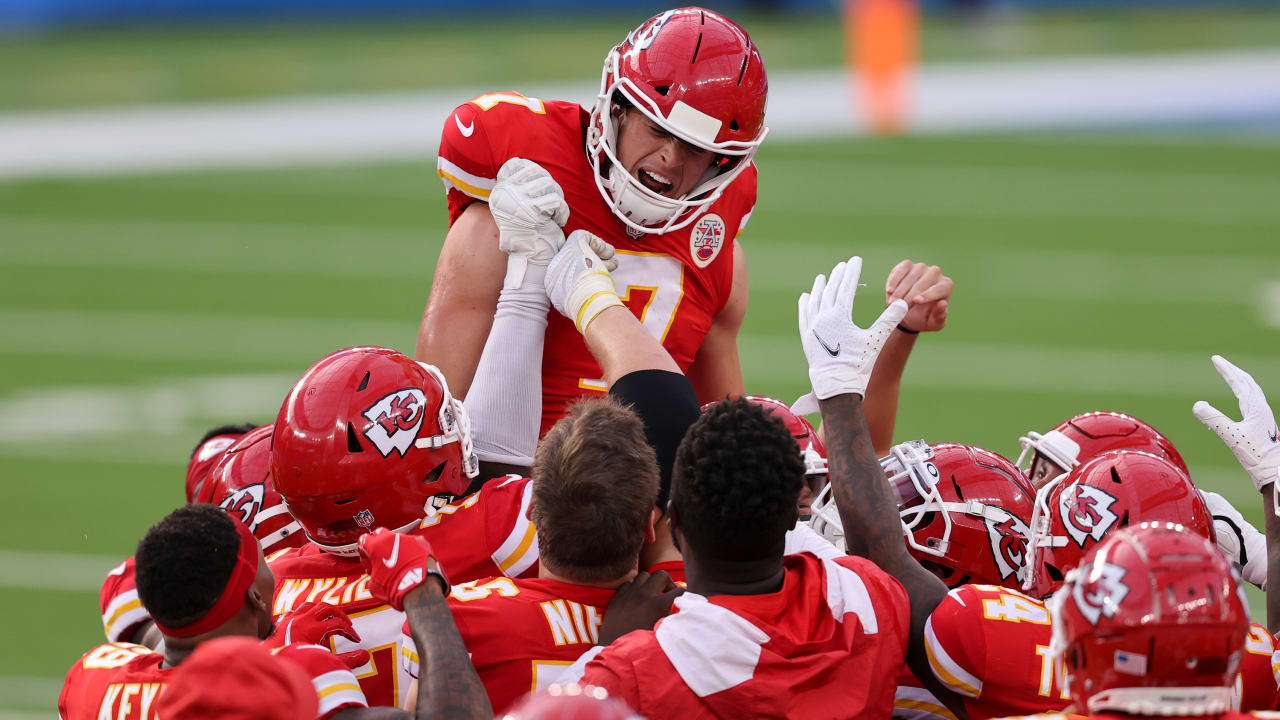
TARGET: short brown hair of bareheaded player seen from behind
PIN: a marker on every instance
(596, 480)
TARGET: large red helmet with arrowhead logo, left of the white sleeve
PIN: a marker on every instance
(365, 440)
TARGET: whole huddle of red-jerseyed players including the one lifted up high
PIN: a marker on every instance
(569, 508)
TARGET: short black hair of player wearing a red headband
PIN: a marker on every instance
(185, 562)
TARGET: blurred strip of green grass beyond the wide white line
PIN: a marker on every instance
(176, 65)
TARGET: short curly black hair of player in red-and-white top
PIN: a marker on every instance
(737, 482)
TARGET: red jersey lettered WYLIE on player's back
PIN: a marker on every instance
(309, 575)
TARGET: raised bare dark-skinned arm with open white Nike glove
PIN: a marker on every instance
(842, 357)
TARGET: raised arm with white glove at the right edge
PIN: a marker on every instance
(1254, 440)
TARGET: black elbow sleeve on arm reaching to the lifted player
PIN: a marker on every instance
(668, 407)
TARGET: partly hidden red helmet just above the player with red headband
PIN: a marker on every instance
(241, 485)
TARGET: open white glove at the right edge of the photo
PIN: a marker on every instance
(1254, 439)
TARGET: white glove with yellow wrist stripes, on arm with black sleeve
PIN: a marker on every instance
(579, 281)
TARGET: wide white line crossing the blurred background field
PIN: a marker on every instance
(957, 97)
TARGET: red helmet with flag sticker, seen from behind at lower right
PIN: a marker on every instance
(1153, 623)
